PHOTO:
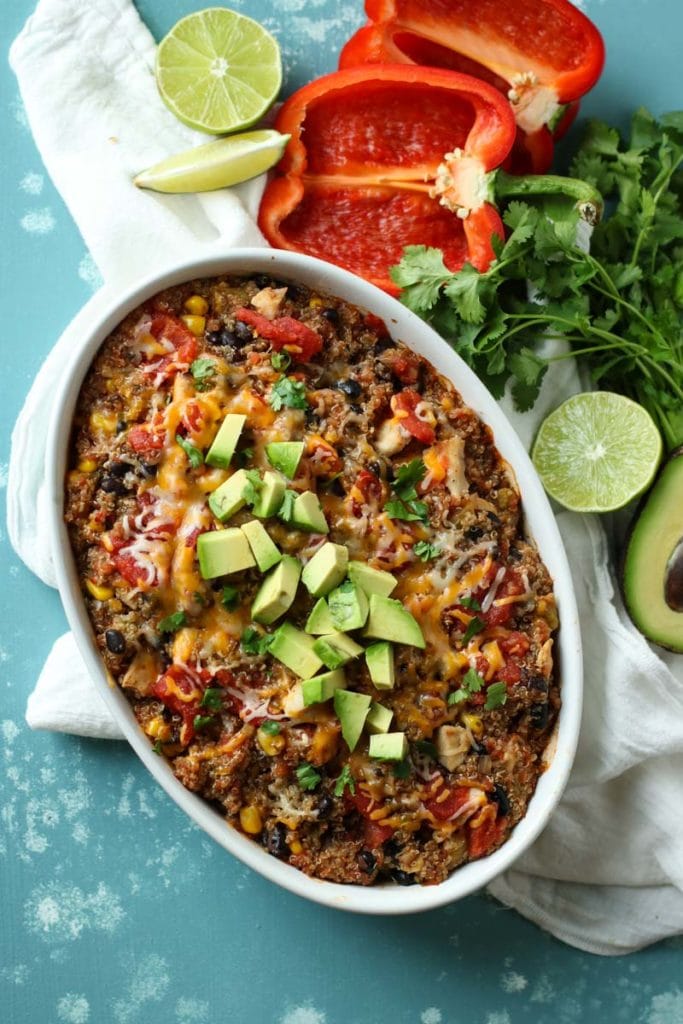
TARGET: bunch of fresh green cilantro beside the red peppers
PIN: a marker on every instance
(619, 308)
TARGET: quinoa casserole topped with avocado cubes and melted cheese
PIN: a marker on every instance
(305, 564)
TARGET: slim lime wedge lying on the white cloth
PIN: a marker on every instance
(217, 165)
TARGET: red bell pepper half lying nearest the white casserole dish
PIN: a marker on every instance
(355, 186)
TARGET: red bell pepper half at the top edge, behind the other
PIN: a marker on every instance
(543, 55)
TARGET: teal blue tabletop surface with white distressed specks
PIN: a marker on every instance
(115, 908)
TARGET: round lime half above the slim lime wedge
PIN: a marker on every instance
(219, 71)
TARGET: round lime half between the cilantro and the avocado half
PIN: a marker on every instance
(597, 452)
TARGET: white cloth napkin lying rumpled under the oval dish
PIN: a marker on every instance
(607, 876)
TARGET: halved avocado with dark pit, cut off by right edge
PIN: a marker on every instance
(653, 575)
